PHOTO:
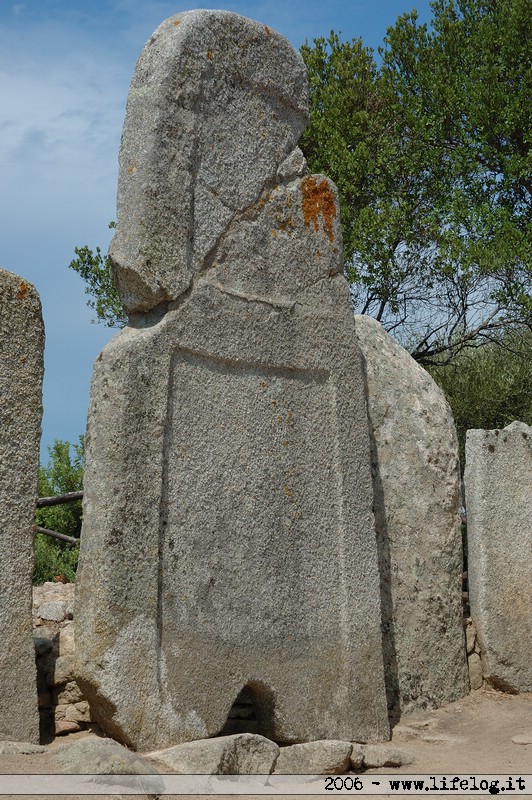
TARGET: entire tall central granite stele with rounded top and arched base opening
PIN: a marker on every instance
(228, 536)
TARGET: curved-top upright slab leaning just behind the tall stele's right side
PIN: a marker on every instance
(417, 495)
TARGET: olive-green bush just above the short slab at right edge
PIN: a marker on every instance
(491, 386)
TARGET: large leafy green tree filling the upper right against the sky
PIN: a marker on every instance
(431, 155)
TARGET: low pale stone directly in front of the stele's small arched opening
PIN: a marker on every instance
(241, 754)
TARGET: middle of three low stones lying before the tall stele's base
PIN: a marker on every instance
(327, 757)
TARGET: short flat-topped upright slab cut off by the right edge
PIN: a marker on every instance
(498, 484)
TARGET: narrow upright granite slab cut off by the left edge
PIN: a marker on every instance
(21, 373)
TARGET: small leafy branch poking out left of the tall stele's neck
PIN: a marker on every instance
(96, 271)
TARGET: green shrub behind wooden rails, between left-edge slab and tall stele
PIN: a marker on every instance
(62, 474)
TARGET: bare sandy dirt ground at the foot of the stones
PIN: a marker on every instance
(470, 737)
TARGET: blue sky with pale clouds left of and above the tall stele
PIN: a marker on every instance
(65, 68)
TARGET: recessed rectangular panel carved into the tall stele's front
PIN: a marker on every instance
(251, 515)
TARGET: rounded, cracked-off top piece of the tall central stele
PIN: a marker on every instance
(216, 104)
